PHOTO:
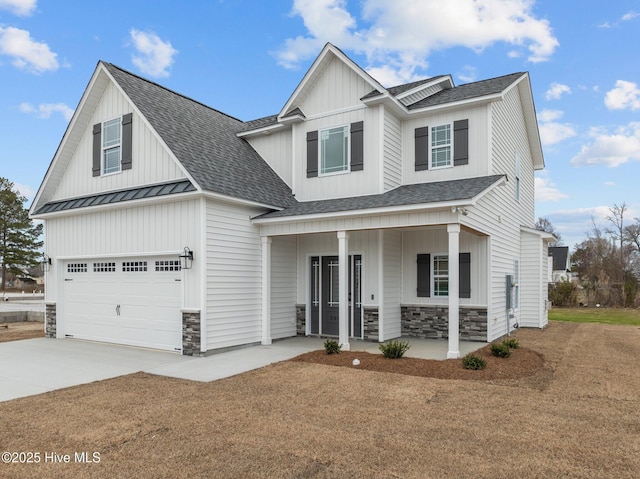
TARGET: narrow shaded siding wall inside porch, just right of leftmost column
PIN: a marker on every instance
(283, 287)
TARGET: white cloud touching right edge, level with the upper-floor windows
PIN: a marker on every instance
(610, 149)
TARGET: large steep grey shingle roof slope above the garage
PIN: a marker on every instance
(204, 141)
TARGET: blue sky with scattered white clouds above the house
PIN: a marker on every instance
(245, 57)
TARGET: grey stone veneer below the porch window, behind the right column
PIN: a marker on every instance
(431, 322)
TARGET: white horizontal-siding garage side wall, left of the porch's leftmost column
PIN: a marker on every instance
(233, 276)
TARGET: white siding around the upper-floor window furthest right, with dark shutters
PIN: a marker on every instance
(478, 134)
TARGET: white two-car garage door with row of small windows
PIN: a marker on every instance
(132, 301)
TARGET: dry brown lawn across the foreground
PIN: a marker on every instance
(575, 415)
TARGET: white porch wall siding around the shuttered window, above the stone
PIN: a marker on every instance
(436, 241)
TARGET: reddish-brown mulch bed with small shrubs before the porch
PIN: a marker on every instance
(523, 362)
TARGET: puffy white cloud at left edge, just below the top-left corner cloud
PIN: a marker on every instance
(27, 53)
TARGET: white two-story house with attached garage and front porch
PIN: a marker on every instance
(357, 211)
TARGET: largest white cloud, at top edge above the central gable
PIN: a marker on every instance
(405, 36)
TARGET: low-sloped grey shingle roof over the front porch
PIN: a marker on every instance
(421, 193)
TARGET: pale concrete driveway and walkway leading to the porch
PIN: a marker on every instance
(36, 366)
